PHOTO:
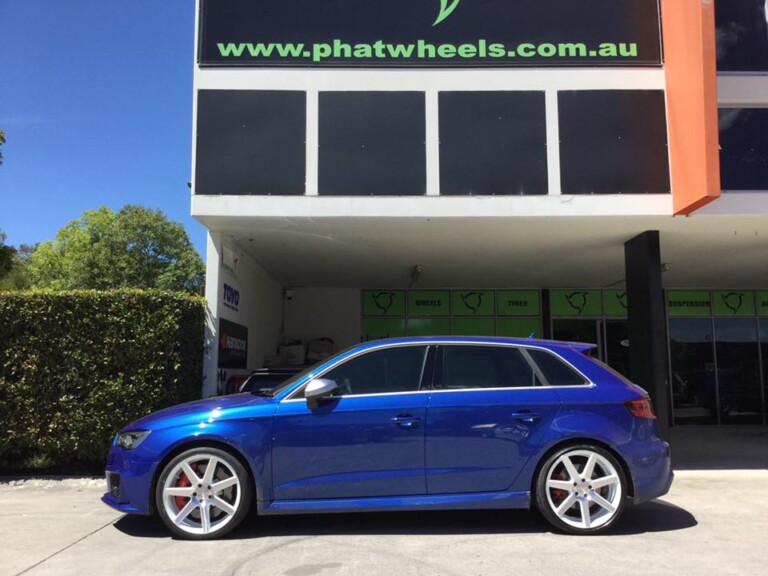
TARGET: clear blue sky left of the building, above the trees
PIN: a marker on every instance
(96, 105)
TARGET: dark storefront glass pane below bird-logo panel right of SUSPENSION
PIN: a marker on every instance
(738, 370)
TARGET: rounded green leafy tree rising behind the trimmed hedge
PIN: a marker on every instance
(133, 248)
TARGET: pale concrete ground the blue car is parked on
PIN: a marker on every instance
(713, 521)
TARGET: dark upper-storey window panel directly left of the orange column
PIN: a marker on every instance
(613, 142)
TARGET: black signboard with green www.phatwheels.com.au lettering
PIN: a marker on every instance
(429, 33)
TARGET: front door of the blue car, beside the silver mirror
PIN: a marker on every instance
(366, 440)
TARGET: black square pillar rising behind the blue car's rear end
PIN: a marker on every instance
(648, 352)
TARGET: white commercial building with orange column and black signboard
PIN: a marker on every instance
(566, 168)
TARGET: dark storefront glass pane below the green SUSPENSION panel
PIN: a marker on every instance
(692, 359)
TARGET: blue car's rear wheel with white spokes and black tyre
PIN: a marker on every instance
(581, 489)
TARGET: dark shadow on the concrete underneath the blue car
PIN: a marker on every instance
(656, 516)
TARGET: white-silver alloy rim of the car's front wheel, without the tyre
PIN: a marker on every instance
(201, 494)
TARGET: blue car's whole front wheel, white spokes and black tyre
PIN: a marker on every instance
(203, 494)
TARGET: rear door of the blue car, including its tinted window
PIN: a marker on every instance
(486, 417)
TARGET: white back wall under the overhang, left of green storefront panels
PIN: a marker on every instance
(323, 312)
